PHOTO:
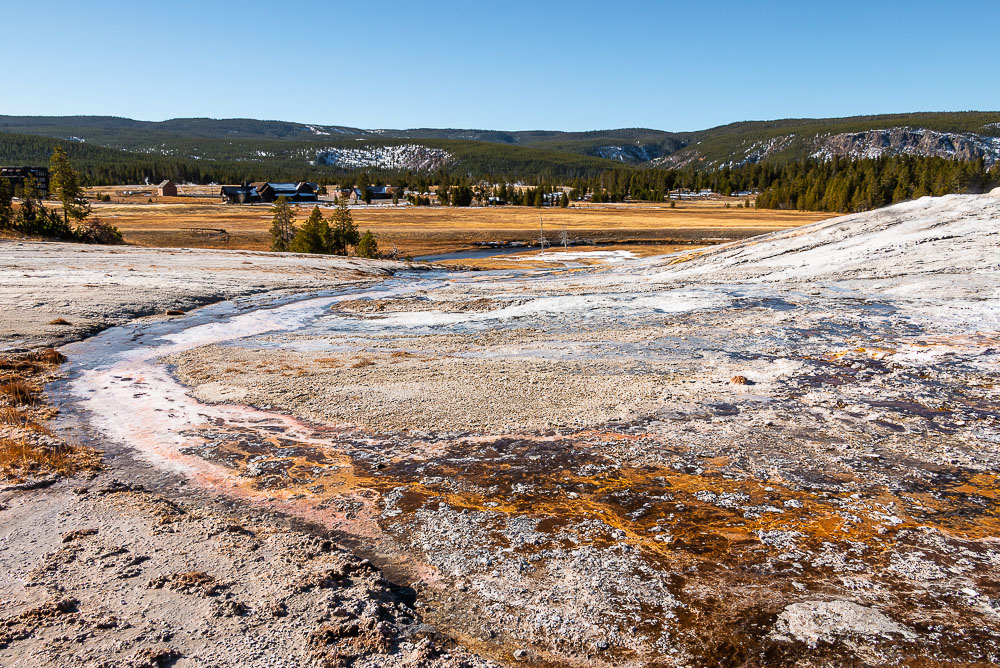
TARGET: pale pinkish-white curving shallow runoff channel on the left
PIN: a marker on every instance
(116, 394)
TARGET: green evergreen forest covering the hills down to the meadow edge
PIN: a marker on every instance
(193, 151)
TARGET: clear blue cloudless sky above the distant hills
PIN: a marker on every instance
(513, 65)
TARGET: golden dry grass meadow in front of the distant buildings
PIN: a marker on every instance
(197, 222)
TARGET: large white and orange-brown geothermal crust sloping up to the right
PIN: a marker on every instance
(777, 445)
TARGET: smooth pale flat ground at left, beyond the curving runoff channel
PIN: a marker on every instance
(93, 287)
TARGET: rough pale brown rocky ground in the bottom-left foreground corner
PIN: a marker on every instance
(102, 572)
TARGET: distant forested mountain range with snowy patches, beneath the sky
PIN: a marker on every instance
(264, 147)
